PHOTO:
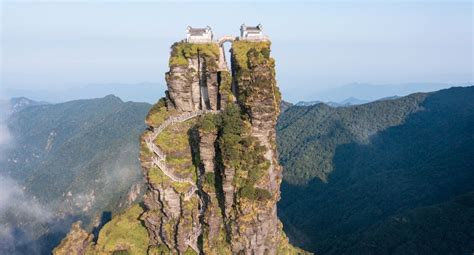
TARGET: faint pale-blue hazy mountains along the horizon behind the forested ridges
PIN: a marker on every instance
(350, 94)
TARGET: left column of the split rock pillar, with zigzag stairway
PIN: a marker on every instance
(170, 154)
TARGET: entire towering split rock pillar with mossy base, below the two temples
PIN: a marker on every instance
(209, 159)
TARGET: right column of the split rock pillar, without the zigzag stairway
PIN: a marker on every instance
(256, 228)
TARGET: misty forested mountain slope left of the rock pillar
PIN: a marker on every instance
(67, 161)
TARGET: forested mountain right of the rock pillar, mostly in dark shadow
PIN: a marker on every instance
(388, 177)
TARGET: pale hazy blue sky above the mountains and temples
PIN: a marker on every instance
(317, 45)
